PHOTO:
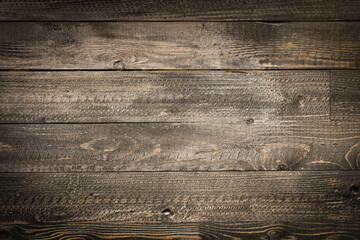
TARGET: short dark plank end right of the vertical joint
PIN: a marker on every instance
(345, 96)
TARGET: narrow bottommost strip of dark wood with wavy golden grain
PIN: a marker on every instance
(164, 230)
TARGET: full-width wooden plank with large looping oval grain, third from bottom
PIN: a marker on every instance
(270, 145)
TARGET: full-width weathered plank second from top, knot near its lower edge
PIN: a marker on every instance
(185, 45)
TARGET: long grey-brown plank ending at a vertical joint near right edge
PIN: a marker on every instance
(38, 97)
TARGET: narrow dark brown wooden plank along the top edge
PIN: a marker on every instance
(165, 10)
